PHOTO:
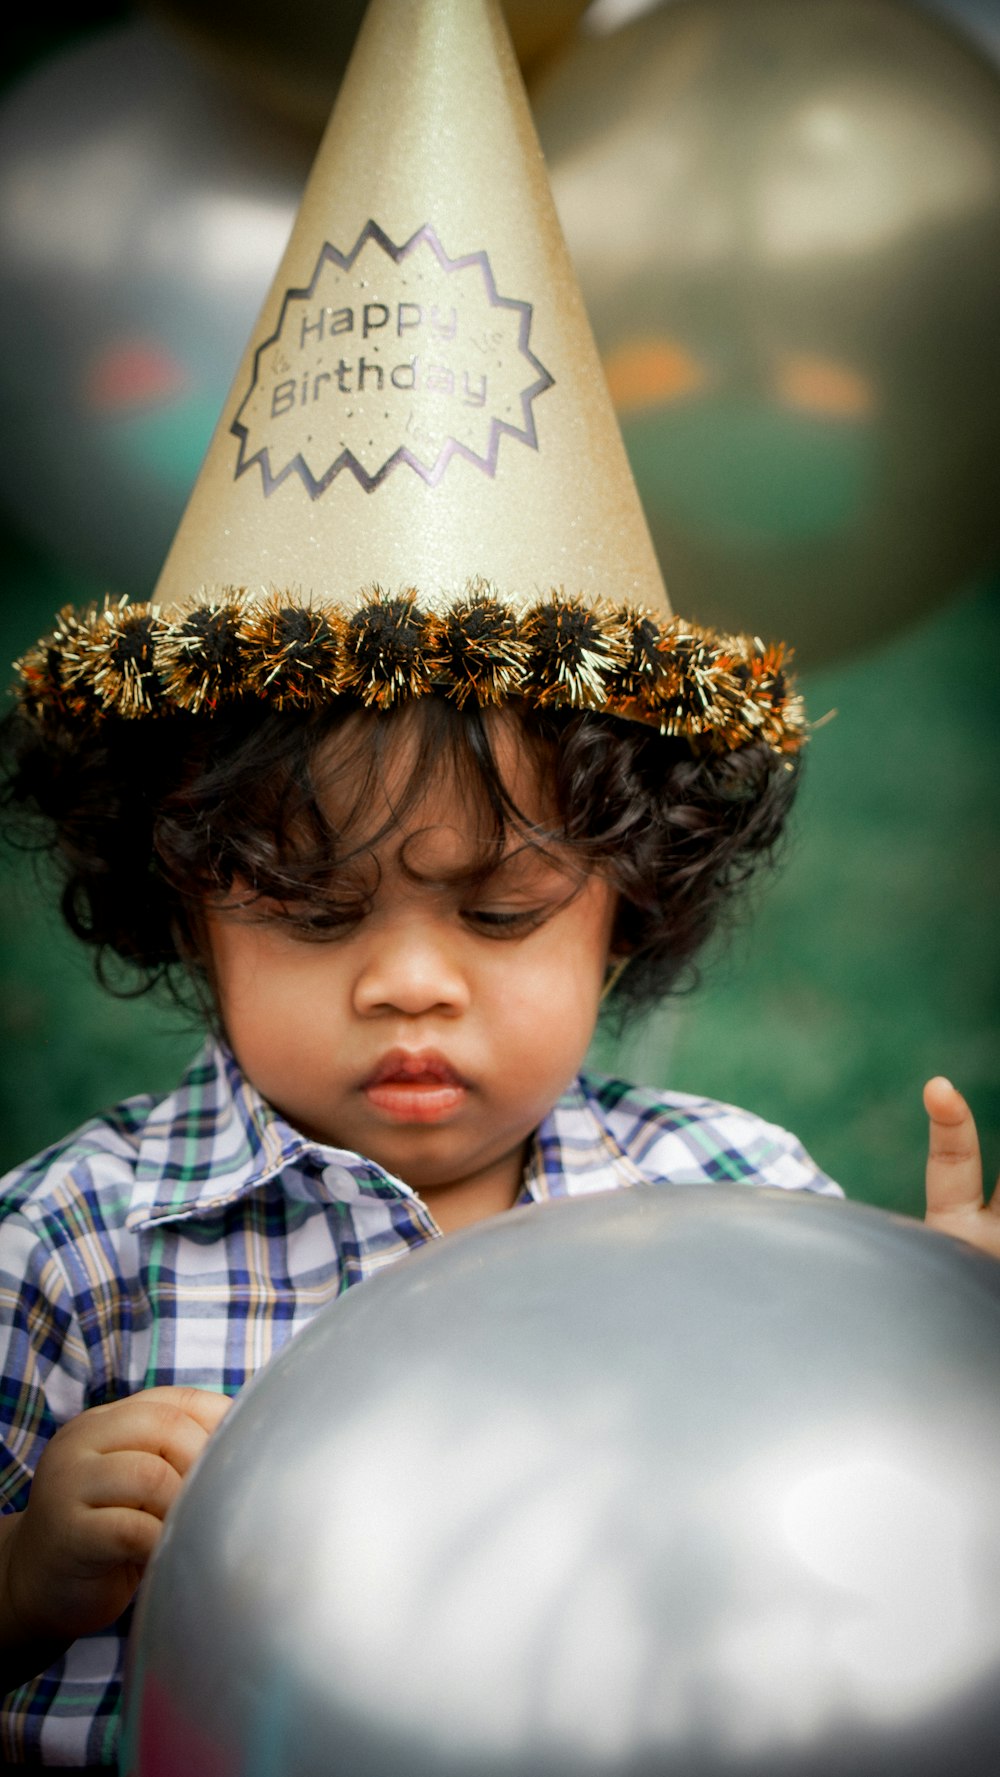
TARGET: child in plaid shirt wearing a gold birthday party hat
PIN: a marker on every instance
(397, 847)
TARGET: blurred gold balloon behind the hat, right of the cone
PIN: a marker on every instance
(788, 228)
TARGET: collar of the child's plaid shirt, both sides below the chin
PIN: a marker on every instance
(214, 1140)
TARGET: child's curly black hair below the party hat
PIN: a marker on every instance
(148, 822)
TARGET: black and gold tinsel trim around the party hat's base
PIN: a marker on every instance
(290, 653)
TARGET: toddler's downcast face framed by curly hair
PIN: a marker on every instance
(438, 1030)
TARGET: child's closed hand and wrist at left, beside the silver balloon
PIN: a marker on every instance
(102, 1490)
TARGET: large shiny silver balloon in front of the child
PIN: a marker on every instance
(695, 1481)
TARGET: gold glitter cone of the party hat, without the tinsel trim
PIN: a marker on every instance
(422, 401)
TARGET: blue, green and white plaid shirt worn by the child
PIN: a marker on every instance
(187, 1241)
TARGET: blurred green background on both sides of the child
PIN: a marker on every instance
(868, 964)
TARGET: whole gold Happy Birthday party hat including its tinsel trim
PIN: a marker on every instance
(418, 482)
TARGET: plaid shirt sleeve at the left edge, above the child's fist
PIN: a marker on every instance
(44, 1360)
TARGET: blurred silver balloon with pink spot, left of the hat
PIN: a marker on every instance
(143, 214)
